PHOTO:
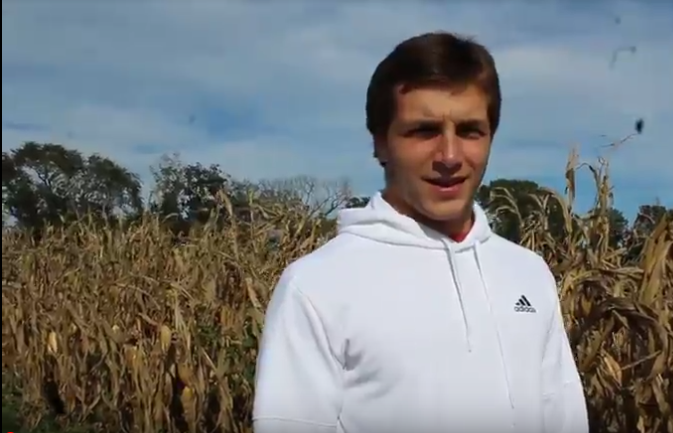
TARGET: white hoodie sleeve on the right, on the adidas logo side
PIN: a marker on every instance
(563, 397)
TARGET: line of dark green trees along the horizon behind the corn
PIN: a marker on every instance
(51, 184)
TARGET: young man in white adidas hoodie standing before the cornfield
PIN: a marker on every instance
(416, 317)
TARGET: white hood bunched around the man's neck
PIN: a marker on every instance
(381, 222)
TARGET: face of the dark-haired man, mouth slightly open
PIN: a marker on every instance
(436, 151)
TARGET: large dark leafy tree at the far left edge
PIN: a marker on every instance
(47, 183)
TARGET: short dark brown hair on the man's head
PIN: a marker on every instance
(437, 58)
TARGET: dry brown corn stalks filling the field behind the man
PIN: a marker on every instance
(130, 330)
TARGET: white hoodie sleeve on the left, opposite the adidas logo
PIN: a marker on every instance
(298, 377)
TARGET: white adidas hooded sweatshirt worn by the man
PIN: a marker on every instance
(391, 327)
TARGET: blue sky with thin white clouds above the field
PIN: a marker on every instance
(272, 89)
